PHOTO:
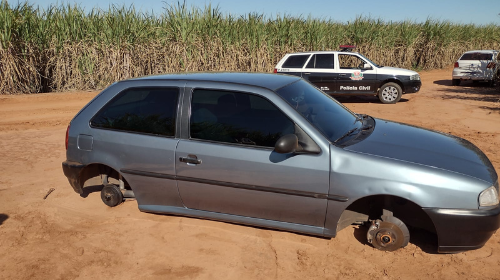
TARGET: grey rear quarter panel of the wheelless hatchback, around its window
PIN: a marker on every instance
(129, 151)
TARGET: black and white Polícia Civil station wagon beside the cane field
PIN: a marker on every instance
(350, 73)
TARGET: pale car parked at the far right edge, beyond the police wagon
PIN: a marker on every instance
(476, 66)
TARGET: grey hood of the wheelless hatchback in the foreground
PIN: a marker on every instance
(431, 148)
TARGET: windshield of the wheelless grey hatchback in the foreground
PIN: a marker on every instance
(329, 116)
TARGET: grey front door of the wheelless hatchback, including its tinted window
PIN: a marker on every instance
(227, 164)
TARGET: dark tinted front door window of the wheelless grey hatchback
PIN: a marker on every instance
(235, 117)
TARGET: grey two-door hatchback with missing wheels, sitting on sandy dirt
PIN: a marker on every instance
(274, 151)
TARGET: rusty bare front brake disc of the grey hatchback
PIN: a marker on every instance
(389, 234)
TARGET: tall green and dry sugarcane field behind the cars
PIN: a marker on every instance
(63, 47)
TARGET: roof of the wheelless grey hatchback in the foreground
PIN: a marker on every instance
(265, 80)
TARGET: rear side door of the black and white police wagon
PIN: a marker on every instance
(320, 71)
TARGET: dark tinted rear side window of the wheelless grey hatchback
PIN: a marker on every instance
(143, 110)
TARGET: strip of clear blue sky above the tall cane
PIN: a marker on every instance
(457, 11)
